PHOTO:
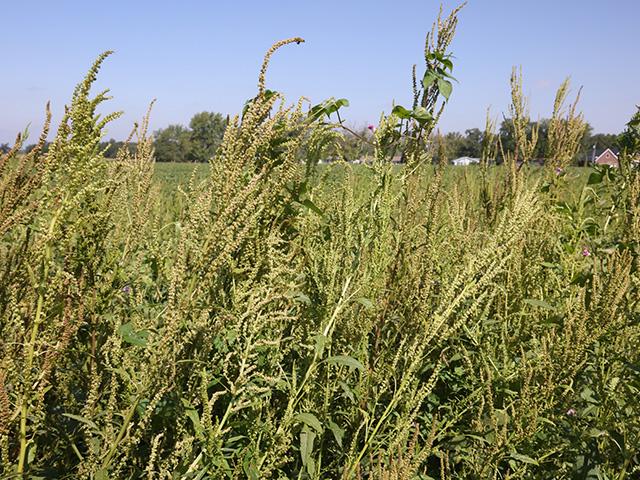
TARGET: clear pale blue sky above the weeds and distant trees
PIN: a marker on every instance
(205, 55)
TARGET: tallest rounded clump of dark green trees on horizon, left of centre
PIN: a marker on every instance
(197, 143)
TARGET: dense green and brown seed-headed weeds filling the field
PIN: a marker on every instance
(269, 318)
